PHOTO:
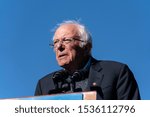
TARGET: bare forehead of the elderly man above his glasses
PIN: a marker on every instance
(66, 30)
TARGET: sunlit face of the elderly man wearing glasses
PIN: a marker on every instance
(67, 54)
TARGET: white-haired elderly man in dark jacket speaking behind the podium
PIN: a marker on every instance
(72, 44)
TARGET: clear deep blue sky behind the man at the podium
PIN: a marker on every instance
(120, 30)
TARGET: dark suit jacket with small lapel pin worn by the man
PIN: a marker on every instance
(112, 81)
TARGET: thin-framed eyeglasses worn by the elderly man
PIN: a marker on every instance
(64, 41)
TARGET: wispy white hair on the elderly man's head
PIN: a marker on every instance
(83, 32)
